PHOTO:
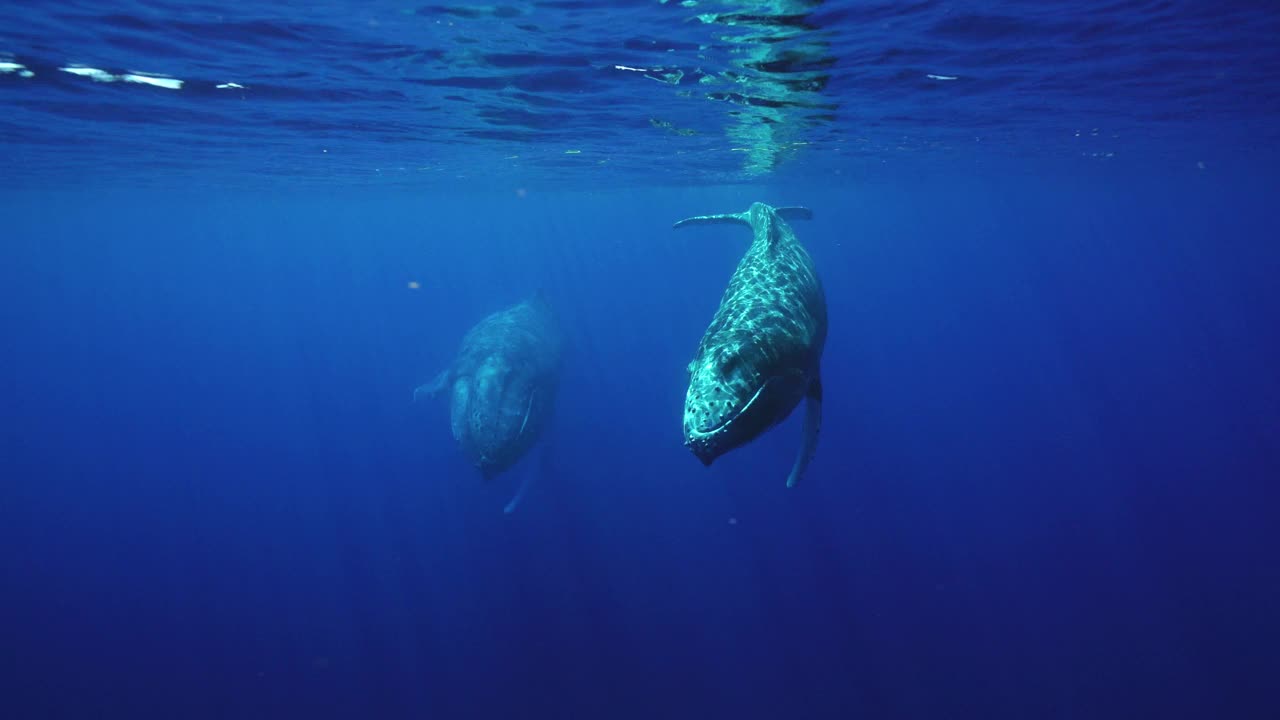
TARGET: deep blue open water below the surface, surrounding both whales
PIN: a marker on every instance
(1045, 484)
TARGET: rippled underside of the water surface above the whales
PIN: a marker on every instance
(660, 92)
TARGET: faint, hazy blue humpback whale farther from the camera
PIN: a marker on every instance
(502, 386)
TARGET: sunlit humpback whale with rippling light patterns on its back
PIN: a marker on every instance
(761, 356)
